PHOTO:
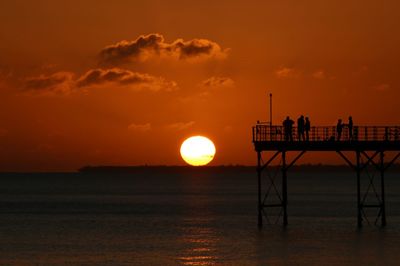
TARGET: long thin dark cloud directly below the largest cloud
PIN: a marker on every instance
(123, 77)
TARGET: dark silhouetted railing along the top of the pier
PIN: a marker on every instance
(265, 132)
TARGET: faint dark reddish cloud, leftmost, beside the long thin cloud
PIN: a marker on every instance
(57, 83)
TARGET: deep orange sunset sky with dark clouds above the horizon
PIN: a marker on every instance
(124, 82)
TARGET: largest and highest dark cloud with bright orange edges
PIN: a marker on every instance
(154, 45)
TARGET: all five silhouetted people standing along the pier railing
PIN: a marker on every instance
(304, 126)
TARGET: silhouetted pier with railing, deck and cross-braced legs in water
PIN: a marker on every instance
(364, 148)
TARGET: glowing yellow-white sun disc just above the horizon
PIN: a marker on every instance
(197, 150)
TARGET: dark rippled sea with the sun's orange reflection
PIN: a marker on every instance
(193, 218)
